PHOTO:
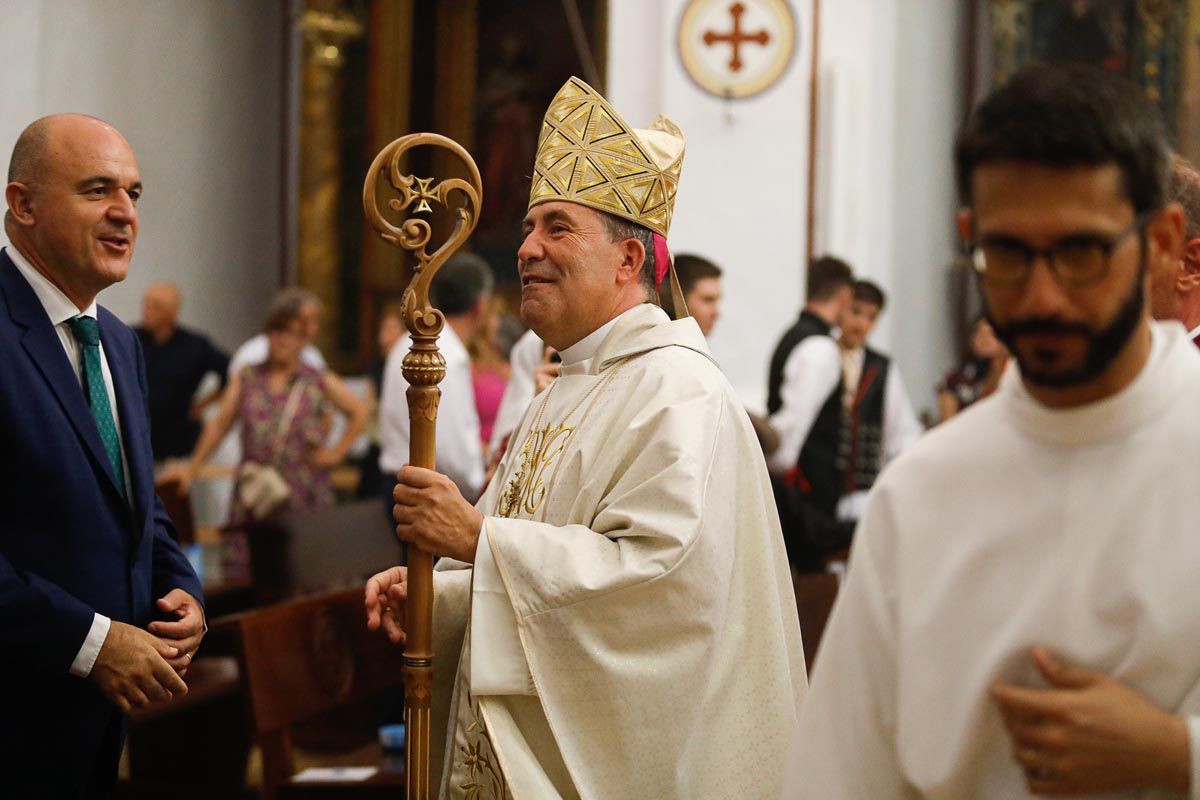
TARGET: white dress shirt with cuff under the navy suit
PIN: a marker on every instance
(59, 309)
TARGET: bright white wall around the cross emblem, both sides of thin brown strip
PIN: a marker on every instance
(890, 77)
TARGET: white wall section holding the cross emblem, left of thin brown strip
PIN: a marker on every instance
(742, 196)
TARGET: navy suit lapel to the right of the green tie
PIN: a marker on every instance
(130, 405)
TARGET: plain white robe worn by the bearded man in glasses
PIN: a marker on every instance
(1009, 527)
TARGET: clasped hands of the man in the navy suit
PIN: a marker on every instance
(137, 667)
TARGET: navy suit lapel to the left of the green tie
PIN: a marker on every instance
(45, 350)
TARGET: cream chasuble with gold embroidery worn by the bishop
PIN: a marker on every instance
(643, 585)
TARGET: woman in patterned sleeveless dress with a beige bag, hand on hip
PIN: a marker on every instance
(284, 407)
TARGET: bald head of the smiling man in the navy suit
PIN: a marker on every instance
(73, 203)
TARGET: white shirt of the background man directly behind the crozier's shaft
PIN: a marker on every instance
(459, 449)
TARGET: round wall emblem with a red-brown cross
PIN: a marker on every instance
(736, 50)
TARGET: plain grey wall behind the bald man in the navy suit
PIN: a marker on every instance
(196, 88)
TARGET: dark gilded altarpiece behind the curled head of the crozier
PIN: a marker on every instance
(479, 73)
